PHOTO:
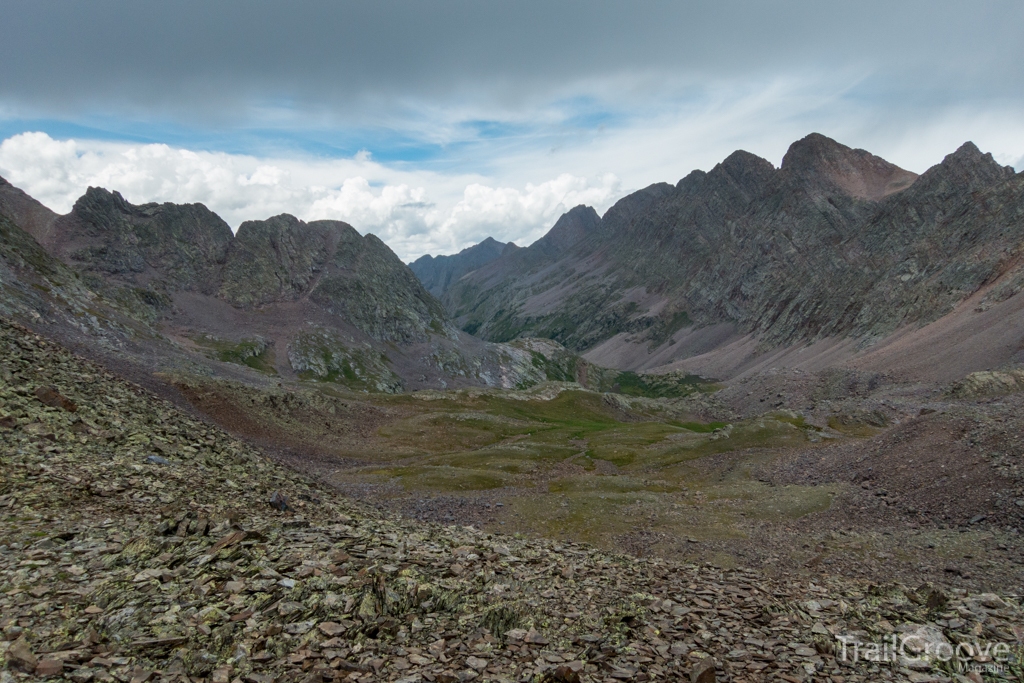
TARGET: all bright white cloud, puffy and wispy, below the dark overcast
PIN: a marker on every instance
(514, 182)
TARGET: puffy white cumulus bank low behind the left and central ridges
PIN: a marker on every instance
(415, 212)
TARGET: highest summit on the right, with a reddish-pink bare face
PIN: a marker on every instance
(822, 164)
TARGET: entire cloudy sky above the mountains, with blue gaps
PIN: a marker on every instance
(436, 124)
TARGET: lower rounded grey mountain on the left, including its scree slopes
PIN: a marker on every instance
(172, 288)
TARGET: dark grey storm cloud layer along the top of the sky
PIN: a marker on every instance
(225, 58)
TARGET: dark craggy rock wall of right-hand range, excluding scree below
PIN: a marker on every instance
(837, 242)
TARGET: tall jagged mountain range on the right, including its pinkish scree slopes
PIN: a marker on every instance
(833, 258)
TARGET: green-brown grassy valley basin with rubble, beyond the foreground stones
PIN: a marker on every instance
(906, 486)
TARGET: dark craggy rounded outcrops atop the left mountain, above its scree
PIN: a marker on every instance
(156, 250)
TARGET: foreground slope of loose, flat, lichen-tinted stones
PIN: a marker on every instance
(140, 544)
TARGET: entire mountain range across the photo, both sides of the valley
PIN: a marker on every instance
(837, 258)
